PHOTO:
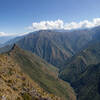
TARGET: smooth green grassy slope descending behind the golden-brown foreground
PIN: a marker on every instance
(43, 73)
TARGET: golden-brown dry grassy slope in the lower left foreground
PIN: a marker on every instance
(15, 85)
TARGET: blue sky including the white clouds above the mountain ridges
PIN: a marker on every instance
(22, 16)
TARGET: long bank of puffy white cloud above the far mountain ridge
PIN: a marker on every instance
(59, 24)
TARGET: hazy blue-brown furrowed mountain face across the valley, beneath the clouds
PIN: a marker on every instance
(55, 47)
